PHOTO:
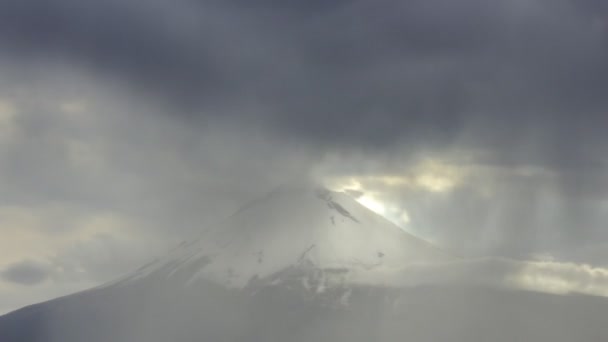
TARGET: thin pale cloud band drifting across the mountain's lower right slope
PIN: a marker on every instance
(548, 277)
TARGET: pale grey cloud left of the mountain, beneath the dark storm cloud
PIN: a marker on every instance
(161, 179)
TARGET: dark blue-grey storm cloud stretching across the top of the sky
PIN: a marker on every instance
(366, 73)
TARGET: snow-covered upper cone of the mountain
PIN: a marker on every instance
(297, 223)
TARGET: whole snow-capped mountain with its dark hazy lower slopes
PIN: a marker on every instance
(287, 268)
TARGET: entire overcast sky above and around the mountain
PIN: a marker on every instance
(126, 126)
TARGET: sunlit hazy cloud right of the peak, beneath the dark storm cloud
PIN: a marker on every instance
(491, 209)
